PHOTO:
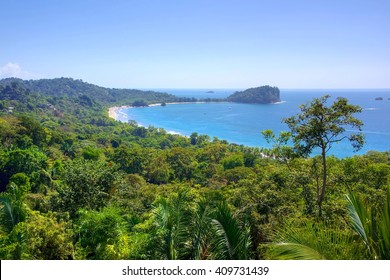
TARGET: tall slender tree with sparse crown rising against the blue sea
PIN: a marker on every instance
(321, 126)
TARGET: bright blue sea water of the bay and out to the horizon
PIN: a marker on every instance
(243, 123)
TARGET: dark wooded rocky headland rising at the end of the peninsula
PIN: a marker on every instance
(258, 95)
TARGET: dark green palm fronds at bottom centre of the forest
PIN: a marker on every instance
(199, 233)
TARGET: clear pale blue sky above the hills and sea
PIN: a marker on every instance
(199, 44)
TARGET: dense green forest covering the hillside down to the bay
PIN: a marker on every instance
(78, 185)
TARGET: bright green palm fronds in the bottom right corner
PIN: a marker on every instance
(319, 241)
